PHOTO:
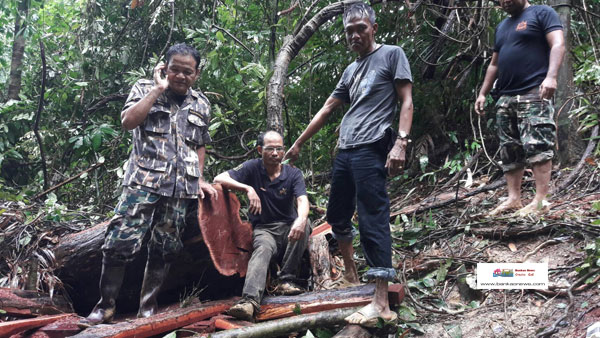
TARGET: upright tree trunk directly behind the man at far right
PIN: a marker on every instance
(570, 144)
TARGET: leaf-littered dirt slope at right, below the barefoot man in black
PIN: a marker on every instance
(441, 301)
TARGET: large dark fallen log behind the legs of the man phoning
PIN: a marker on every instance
(79, 261)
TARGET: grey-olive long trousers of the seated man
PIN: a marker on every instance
(269, 241)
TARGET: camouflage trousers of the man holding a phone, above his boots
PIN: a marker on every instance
(137, 212)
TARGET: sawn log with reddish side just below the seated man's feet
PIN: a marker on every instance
(310, 302)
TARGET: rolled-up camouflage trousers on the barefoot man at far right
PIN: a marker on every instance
(526, 130)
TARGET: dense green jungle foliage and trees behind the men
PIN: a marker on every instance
(66, 67)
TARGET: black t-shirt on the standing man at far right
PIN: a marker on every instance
(523, 51)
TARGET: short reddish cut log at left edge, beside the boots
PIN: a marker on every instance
(26, 303)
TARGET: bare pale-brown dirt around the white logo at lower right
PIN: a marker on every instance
(516, 313)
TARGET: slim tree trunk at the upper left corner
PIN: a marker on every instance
(14, 82)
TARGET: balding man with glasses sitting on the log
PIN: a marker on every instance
(271, 188)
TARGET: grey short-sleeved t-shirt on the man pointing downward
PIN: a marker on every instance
(368, 85)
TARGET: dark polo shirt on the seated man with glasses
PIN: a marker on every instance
(277, 196)
